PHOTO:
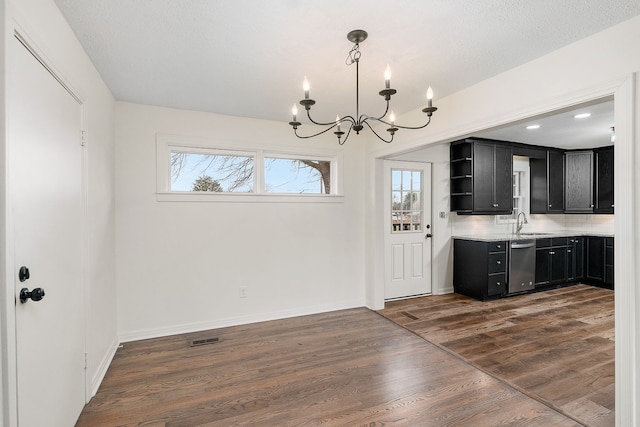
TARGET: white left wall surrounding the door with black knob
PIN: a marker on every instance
(42, 23)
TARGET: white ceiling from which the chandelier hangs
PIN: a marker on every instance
(248, 57)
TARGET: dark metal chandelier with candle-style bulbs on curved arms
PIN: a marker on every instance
(359, 121)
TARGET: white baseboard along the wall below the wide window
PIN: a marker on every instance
(142, 334)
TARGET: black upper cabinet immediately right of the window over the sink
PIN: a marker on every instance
(547, 183)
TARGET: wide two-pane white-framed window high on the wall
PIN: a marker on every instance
(193, 170)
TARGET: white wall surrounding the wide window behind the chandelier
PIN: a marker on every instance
(181, 264)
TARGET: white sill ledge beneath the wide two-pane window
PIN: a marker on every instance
(249, 198)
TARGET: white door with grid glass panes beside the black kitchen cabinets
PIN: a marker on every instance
(407, 229)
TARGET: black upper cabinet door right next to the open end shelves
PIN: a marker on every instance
(483, 177)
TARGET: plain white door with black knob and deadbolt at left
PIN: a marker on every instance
(45, 181)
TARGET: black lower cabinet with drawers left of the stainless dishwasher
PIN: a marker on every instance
(480, 268)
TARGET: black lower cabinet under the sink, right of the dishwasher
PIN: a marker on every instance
(551, 261)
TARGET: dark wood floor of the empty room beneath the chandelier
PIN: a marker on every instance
(346, 368)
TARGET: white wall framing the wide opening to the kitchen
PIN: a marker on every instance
(589, 69)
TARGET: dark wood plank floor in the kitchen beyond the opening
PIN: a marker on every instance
(555, 346)
